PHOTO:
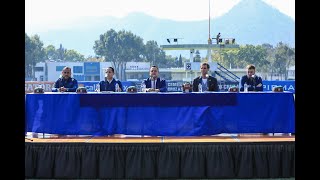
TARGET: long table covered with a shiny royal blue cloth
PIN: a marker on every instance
(160, 114)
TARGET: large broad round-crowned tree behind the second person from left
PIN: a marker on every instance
(119, 48)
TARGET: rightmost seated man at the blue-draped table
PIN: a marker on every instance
(253, 81)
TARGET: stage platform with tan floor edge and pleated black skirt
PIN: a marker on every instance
(225, 156)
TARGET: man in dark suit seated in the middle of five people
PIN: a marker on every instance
(154, 83)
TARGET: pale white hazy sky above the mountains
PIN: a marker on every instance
(46, 15)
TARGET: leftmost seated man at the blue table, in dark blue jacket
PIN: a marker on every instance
(65, 83)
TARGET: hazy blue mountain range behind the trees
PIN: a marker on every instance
(249, 22)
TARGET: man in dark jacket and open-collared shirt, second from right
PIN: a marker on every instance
(209, 83)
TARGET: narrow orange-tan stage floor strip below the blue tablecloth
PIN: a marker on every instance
(162, 139)
